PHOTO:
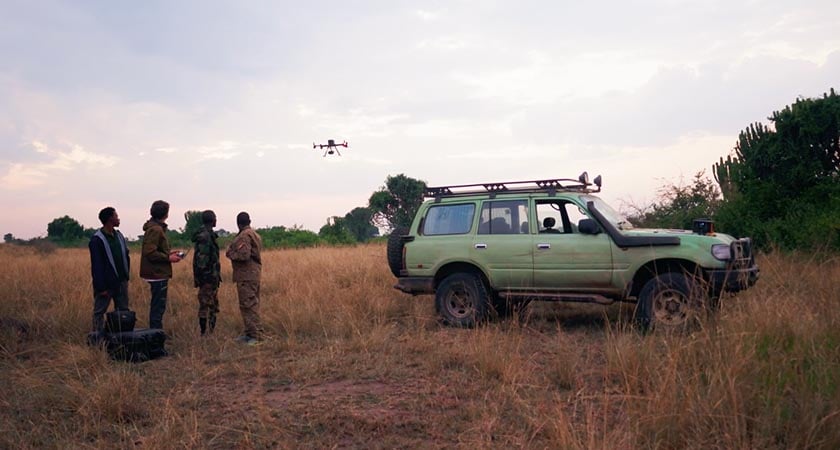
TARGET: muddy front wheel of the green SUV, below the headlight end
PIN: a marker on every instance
(671, 301)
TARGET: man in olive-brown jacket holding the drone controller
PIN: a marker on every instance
(156, 261)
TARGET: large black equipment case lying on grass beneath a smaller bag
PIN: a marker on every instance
(138, 345)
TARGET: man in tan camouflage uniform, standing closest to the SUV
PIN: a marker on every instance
(244, 255)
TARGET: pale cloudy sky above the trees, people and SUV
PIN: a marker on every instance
(215, 104)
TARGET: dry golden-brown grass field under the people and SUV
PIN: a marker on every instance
(354, 363)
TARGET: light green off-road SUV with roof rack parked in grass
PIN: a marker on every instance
(484, 249)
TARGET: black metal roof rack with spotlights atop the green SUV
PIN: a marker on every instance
(550, 186)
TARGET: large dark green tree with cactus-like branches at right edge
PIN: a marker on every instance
(782, 184)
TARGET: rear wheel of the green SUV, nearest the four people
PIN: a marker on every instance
(462, 300)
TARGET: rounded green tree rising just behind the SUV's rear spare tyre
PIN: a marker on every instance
(395, 204)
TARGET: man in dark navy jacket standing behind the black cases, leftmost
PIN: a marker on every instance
(109, 267)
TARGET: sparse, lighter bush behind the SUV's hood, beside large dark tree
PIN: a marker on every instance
(679, 205)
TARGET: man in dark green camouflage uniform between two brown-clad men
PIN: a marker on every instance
(207, 271)
